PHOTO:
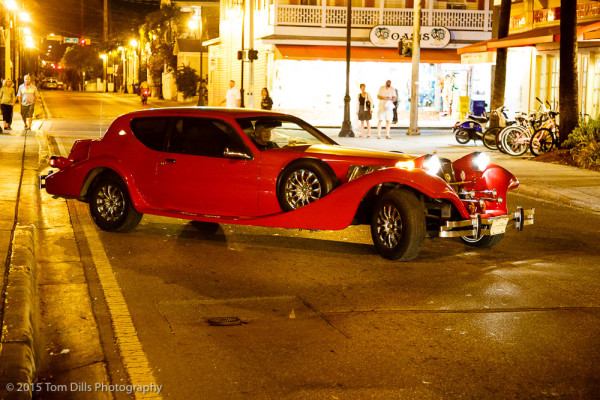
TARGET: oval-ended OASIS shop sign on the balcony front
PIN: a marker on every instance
(389, 35)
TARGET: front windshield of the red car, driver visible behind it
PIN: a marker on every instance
(284, 131)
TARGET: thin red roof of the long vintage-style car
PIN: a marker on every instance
(203, 111)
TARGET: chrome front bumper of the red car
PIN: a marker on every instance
(478, 226)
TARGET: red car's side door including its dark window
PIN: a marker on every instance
(196, 176)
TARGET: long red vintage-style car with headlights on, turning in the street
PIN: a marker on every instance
(249, 167)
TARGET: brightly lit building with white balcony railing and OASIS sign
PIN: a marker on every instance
(301, 48)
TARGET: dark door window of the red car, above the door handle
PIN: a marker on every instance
(203, 137)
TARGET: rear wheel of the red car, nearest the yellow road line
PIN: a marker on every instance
(111, 206)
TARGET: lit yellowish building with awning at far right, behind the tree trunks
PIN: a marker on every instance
(533, 62)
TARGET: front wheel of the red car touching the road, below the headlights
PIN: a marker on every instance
(398, 225)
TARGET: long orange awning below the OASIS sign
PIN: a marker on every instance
(338, 53)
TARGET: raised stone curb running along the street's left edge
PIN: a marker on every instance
(19, 340)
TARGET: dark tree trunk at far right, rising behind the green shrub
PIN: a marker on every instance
(568, 90)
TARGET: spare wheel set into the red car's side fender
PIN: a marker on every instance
(302, 183)
